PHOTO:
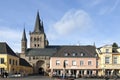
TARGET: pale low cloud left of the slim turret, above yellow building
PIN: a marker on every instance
(11, 36)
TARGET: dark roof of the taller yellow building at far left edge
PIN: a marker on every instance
(5, 49)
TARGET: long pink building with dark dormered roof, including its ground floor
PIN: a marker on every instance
(74, 61)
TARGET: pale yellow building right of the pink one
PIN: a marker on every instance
(109, 60)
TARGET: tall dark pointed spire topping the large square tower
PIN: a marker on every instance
(38, 25)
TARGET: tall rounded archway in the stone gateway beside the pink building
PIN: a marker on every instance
(40, 67)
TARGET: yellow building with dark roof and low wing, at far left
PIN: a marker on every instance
(10, 62)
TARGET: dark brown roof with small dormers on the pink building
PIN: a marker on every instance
(79, 51)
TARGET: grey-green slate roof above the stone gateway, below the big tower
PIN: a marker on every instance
(40, 52)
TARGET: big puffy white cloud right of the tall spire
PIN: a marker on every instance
(73, 22)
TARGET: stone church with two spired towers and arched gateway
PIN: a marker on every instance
(39, 53)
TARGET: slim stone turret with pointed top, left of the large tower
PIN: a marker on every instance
(23, 42)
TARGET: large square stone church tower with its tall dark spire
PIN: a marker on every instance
(38, 37)
